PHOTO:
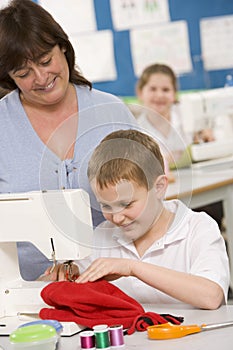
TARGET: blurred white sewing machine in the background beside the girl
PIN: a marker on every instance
(209, 109)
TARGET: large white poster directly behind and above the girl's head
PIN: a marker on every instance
(165, 43)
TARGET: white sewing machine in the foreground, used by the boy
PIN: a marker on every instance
(62, 217)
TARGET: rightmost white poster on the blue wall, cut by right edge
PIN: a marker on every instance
(216, 42)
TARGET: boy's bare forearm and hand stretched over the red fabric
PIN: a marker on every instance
(194, 290)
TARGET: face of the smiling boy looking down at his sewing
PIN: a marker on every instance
(131, 207)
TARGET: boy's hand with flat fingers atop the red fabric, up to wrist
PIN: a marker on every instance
(107, 268)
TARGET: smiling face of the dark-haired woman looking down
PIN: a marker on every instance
(44, 82)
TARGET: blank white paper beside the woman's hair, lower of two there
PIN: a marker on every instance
(95, 55)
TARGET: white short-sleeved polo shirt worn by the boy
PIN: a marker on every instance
(193, 244)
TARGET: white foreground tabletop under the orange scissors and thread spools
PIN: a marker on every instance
(216, 339)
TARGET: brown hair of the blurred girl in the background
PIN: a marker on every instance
(153, 69)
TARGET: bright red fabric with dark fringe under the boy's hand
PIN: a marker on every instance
(93, 303)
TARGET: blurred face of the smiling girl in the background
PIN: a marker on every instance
(158, 93)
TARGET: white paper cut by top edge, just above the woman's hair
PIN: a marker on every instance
(74, 16)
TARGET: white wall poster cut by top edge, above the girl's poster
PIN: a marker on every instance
(127, 14)
